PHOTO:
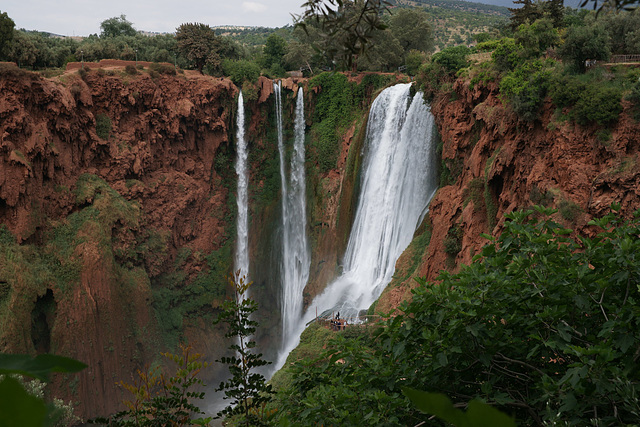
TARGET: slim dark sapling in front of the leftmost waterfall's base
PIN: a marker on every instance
(248, 390)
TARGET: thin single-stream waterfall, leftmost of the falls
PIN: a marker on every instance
(242, 241)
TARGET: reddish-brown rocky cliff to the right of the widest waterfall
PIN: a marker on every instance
(496, 163)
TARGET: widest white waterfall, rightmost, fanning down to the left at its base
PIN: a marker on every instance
(398, 180)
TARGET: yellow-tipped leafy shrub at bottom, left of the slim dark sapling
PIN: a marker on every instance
(161, 401)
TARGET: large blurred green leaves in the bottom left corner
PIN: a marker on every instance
(17, 406)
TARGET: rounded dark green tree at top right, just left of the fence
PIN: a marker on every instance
(582, 43)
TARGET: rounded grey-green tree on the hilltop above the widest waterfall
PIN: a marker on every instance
(412, 29)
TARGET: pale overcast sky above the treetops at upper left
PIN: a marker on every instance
(83, 17)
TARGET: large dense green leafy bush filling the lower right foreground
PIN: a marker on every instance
(541, 325)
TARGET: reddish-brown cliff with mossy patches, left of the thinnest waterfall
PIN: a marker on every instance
(108, 183)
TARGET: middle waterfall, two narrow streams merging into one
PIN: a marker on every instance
(295, 254)
